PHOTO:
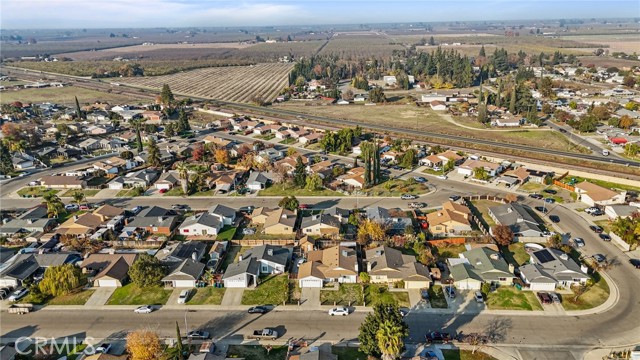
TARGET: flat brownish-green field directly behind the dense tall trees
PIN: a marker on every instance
(350, 46)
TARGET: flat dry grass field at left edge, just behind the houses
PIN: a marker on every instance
(64, 95)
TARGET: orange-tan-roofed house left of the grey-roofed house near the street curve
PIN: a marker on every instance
(451, 220)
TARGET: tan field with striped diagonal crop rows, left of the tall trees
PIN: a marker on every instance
(235, 83)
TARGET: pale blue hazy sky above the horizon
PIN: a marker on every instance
(176, 13)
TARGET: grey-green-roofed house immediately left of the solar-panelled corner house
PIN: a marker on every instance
(478, 266)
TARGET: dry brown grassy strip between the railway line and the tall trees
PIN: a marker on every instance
(414, 117)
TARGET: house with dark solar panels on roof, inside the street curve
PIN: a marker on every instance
(552, 268)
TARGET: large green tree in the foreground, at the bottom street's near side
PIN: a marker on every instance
(382, 313)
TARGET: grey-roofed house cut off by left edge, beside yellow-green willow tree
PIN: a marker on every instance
(24, 266)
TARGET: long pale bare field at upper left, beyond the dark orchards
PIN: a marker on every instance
(159, 52)
